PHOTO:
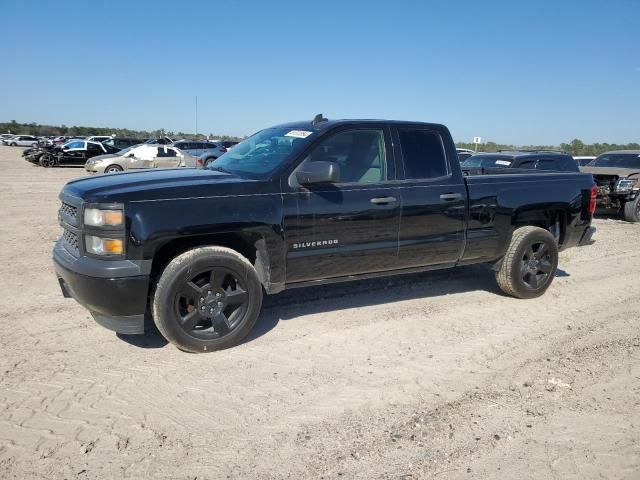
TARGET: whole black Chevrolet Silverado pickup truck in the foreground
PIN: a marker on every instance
(302, 204)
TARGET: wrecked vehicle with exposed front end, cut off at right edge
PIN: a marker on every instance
(617, 175)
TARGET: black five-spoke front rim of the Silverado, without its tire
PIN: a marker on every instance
(211, 304)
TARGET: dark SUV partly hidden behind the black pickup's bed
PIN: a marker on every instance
(521, 159)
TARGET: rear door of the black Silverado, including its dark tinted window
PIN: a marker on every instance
(433, 198)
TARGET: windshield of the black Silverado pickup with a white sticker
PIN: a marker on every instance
(262, 153)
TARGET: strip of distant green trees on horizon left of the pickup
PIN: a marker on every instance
(53, 130)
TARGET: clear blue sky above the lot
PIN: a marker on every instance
(522, 72)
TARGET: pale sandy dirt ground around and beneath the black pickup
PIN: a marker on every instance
(436, 375)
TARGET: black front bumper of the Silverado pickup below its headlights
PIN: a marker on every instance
(116, 301)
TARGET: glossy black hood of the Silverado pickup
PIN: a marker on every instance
(161, 184)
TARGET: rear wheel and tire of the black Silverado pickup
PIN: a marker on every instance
(527, 268)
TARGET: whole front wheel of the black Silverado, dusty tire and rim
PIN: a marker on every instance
(207, 299)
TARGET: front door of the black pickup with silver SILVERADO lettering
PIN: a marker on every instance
(350, 227)
